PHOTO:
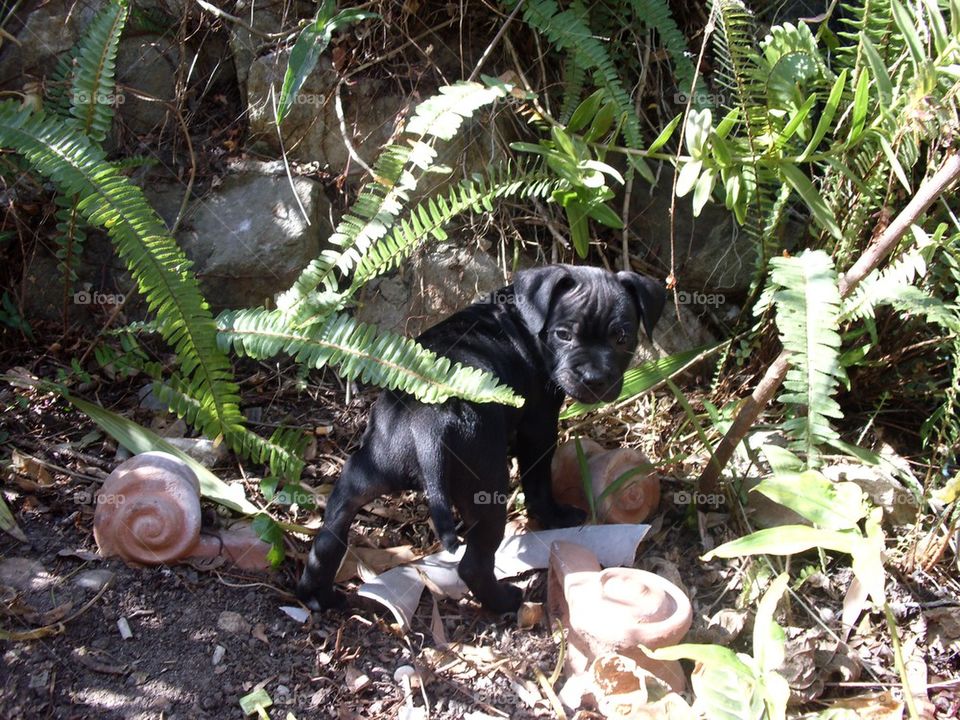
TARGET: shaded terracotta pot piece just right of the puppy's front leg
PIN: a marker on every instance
(636, 499)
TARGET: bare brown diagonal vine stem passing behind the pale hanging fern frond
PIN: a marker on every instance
(868, 261)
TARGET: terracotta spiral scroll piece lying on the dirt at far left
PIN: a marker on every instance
(148, 512)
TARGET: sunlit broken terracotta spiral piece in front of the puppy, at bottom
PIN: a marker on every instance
(616, 610)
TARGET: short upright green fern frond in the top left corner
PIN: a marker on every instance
(93, 81)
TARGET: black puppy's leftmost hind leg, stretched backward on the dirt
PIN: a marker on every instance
(359, 483)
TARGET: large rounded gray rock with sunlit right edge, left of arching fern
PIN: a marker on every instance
(248, 238)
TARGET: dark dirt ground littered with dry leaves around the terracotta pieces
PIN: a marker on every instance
(202, 637)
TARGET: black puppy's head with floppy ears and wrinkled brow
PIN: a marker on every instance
(587, 320)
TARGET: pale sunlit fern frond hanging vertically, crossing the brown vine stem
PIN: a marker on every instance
(807, 300)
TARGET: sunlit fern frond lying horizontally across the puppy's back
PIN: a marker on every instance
(359, 350)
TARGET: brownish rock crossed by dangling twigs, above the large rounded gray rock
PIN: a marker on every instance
(311, 132)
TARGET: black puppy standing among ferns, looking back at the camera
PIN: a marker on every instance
(558, 330)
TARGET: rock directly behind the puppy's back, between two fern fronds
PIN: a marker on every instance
(437, 283)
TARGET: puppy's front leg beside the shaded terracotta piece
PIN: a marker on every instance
(534, 449)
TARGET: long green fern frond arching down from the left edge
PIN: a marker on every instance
(159, 267)
